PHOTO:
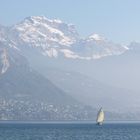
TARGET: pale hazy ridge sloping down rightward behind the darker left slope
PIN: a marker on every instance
(92, 92)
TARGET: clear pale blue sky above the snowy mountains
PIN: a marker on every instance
(118, 20)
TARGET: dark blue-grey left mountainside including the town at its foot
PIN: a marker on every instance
(27, 95)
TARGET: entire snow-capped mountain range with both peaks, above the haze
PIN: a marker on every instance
(54, 38)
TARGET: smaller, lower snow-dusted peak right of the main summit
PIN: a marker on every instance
(96, 46)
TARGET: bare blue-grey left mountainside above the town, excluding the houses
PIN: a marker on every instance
(17, 75)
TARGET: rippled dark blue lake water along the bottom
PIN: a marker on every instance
(69, 131)
